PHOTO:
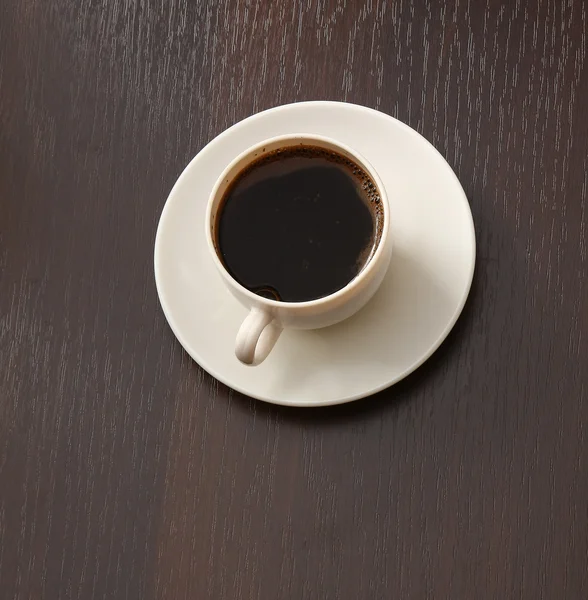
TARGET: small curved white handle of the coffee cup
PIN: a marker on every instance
(257, 336)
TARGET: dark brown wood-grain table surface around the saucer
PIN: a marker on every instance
(126, 471)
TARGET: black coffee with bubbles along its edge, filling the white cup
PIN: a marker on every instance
(298, 224)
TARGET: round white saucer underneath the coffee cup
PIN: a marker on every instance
(412, 313)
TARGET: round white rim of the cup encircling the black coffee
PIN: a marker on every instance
(351, 285)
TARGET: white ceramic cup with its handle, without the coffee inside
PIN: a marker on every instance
(267, 318)
